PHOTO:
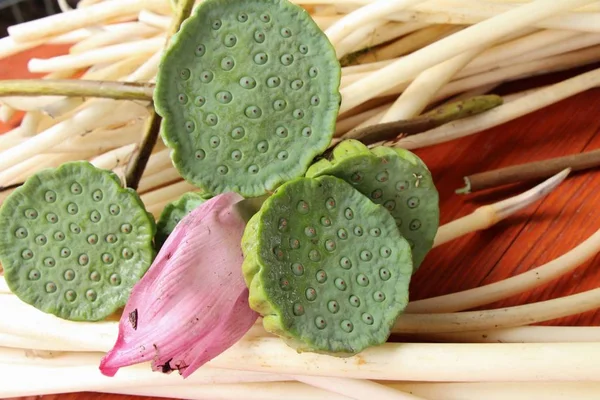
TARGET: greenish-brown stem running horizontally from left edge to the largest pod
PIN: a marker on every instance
(77, 88)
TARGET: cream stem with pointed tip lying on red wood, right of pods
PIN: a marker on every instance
(488, 215)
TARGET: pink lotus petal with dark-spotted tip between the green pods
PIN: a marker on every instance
(192, 304)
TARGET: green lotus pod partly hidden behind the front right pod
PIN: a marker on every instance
(394, 178)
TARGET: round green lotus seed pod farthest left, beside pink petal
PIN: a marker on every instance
(73, 242)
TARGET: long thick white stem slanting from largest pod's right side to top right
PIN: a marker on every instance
(471, 37)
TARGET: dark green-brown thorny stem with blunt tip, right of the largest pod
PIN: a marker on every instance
(437, 117)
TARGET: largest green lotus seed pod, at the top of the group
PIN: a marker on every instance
(249, 95)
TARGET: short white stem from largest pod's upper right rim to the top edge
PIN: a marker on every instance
(372, 12)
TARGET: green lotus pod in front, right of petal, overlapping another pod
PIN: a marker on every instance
(326, 267)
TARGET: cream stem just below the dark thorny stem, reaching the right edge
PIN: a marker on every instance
(504, 113)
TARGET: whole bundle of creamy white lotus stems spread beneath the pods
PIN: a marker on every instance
(400, 58)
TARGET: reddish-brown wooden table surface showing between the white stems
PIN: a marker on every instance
(536, 235)
